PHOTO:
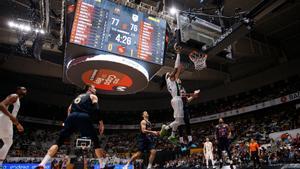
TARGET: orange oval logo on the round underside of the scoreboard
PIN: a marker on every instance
(106, 79)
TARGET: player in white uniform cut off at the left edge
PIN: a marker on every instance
(7, 119)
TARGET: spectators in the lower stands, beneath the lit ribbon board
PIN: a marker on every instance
(34, 142)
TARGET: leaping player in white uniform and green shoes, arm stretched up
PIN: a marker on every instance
(170, 79)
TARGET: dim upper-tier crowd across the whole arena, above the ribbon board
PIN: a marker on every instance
(257, 95)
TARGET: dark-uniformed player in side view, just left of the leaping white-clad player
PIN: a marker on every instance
(145, 141)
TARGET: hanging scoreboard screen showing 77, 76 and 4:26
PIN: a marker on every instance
(110, 27)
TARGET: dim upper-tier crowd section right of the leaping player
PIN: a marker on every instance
(248, 98)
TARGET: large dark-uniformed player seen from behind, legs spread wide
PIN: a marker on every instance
(80, 114)
